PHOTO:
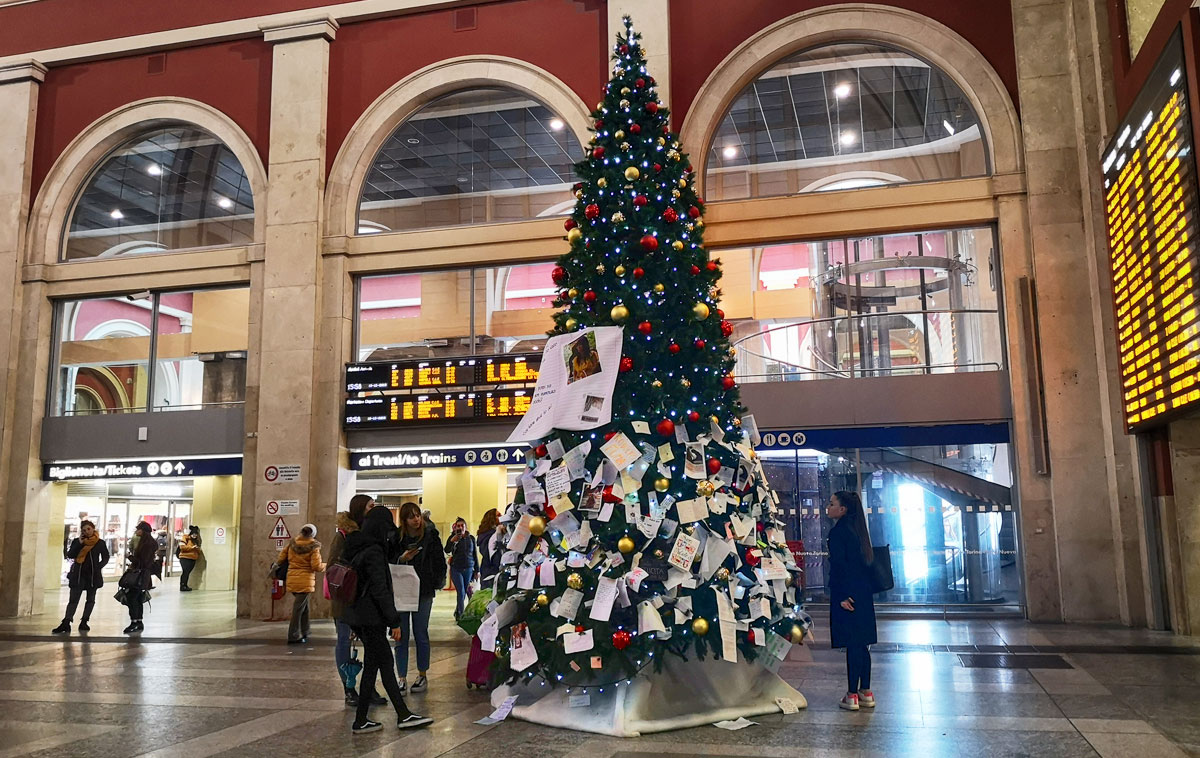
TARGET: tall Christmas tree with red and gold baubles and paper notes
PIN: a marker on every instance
(676, 551)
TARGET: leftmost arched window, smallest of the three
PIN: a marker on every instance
(172, 189)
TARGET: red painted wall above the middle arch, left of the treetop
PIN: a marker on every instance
(566, 38)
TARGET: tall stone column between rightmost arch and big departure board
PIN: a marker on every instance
(1067, 112)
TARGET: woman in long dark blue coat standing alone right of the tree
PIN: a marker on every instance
(851, 606)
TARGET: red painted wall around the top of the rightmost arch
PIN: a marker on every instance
(705, 32)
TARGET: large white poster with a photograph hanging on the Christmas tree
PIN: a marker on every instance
(575, 384)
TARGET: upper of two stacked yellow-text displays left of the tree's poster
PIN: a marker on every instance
(464, 372)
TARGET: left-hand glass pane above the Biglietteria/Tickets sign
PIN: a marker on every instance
(104, 354)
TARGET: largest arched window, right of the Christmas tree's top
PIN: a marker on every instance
(844, 117)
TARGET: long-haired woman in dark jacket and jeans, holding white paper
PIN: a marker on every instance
(421, 546)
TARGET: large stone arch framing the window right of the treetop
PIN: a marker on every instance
(893, 27)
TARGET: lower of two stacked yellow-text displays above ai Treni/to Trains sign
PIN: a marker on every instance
(405, 411)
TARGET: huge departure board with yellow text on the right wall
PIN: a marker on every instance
(1150, 183)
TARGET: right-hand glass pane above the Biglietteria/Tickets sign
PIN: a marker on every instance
(201, 359)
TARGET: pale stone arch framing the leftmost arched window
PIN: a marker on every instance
(89, 148)
